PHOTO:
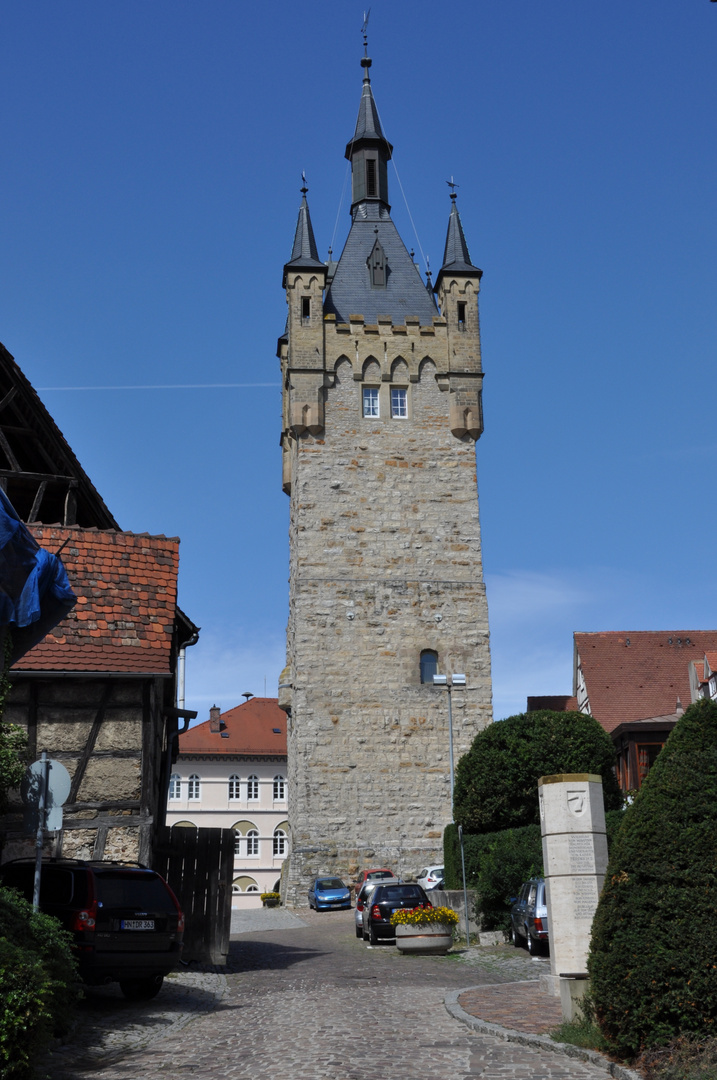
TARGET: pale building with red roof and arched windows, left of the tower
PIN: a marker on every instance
(232, 774)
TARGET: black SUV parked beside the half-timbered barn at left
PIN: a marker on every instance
(126, 921)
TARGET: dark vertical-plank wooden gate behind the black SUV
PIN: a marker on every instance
(198, 863)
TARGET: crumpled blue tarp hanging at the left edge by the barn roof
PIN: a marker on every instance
(35, 593)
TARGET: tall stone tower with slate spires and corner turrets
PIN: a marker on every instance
(382, 410)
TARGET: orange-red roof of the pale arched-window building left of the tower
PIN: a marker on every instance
(249, 730)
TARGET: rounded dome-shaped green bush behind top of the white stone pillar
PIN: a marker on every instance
(497, 780)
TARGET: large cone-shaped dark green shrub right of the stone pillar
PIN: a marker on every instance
(653, 961)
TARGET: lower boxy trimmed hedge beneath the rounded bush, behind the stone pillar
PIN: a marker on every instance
(497, 865)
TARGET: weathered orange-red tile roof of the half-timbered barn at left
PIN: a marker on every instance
(127, 589)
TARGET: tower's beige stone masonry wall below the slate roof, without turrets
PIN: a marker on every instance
(385, 563)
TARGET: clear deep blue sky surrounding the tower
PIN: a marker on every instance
(152, 164)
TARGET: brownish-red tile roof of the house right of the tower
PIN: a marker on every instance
(634, 676)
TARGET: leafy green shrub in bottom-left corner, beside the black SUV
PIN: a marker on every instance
(37, 978)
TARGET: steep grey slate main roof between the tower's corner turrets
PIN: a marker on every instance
(351, 292)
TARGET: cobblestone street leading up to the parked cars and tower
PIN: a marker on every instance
(313, 1003)
